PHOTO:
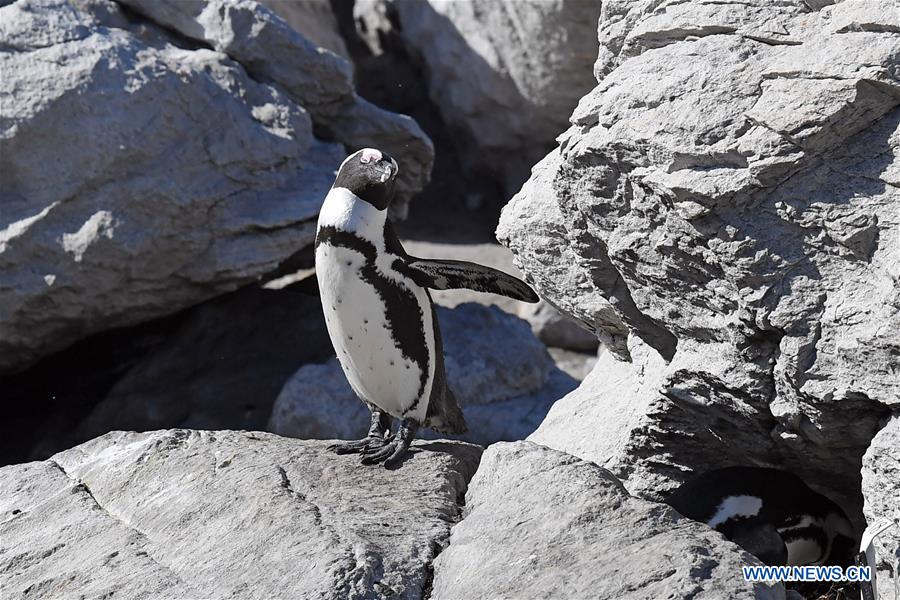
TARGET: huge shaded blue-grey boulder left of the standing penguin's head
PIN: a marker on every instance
(125, 196)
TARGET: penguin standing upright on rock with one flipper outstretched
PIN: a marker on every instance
(379, 313)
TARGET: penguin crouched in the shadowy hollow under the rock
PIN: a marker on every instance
(770, 513)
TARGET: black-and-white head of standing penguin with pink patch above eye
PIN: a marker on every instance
(370, 175)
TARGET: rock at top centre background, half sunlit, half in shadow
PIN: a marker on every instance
(504, 75)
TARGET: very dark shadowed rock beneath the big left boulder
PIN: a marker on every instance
(222, 368)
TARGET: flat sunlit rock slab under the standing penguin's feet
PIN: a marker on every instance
(223, 514)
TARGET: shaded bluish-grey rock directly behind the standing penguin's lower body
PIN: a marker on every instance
(501, 374)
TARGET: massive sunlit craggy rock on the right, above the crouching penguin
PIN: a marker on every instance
(729, 189)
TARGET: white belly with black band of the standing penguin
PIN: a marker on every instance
(380, 323)
